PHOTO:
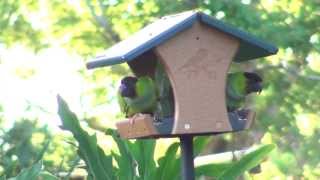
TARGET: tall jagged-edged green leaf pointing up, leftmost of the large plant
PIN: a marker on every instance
(99, 165)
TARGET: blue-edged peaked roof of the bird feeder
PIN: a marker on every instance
(166, 27)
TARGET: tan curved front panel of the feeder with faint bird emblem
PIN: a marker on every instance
(197, 62)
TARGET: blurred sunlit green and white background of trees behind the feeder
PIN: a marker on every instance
(44, 45)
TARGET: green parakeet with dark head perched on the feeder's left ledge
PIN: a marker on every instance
(137, 95)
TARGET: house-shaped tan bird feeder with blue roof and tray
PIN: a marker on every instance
(196, 51)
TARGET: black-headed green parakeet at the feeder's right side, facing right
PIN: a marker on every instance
(239, 85)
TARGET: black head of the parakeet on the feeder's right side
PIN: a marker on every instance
(254, 82)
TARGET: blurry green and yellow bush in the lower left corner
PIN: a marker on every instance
(26, 143)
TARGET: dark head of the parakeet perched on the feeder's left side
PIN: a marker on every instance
(127, 87)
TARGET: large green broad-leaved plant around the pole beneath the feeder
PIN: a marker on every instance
(135, 160)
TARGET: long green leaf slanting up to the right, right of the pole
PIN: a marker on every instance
(247, 162)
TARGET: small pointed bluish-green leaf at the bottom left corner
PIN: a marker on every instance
(30, 173)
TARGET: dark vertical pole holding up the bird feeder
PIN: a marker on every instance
(187, 166)
